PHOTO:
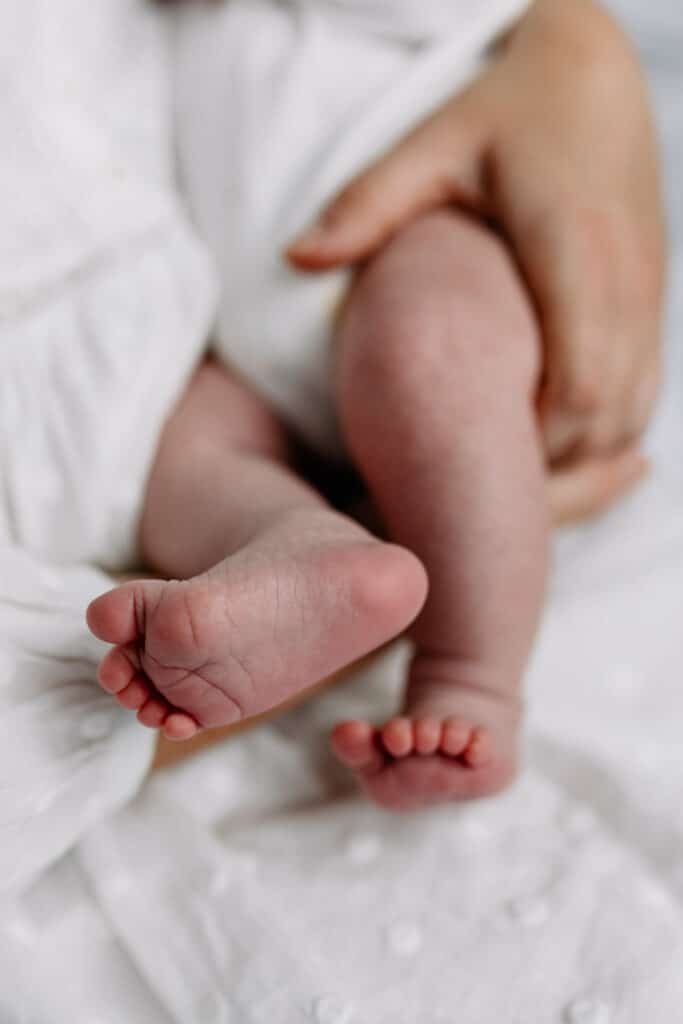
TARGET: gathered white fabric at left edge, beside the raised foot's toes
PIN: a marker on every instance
(70, 756)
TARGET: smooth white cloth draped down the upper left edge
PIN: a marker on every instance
(107, 297)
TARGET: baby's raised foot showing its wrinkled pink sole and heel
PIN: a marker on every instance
(294, 607)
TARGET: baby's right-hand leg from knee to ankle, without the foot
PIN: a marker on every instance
(438, 367)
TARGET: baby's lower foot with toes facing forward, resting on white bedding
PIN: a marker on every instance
(455, 742)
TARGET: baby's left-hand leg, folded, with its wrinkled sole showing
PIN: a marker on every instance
(280, 591)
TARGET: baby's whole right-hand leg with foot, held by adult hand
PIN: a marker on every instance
(439, 364)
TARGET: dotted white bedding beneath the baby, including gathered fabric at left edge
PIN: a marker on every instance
(252, 885)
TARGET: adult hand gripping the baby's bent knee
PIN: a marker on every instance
(554, 144)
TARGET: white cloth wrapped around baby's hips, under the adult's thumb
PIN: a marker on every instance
(281, 105)
